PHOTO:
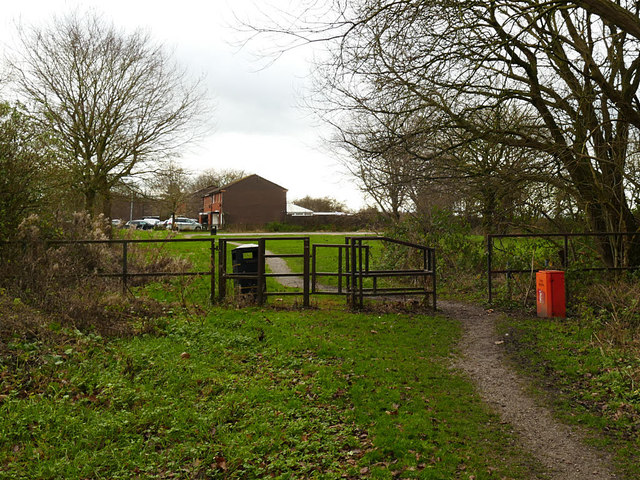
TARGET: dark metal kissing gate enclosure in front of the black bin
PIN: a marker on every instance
(348, 269)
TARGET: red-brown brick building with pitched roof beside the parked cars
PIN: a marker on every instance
(250, 201)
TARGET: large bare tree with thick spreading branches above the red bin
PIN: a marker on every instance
(571, 72)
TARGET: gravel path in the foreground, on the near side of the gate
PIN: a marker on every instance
(557, 446)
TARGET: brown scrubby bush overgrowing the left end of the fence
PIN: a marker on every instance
(56, 281)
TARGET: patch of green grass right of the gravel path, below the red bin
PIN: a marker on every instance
(590, 383)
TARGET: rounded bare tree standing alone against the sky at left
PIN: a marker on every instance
(116, 102)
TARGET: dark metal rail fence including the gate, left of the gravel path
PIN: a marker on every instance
(356, 279)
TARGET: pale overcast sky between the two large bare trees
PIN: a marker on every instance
(259, 127)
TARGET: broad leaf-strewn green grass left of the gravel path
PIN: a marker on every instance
(252, 394)
